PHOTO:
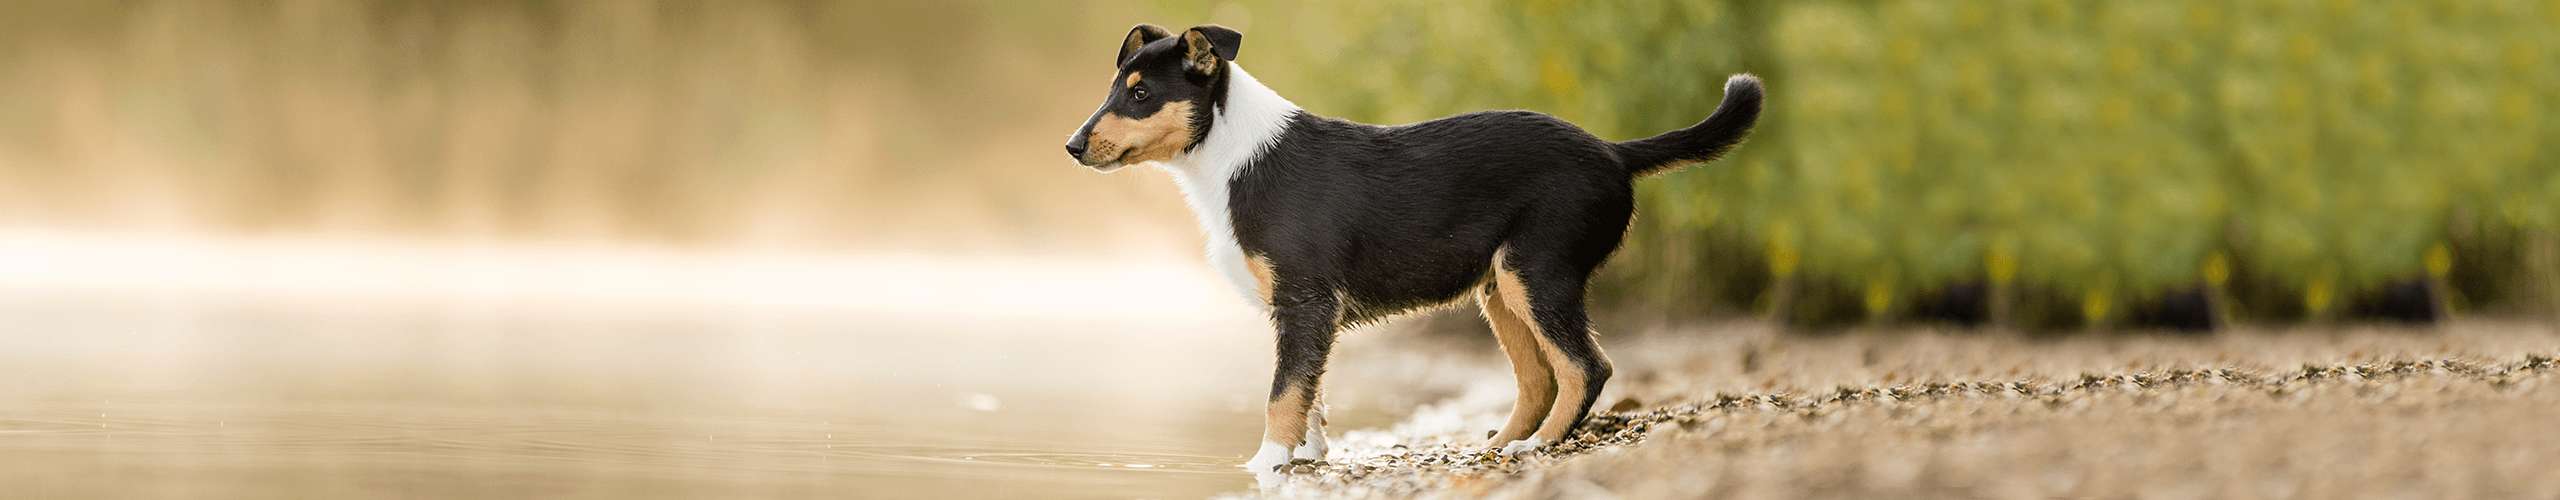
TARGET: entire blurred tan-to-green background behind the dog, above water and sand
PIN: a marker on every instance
(2031, 163)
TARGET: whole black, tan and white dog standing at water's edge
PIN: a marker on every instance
(1332, 224)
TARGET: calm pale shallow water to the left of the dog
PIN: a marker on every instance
(344, 388)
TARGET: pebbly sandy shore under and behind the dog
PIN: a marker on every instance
(1742, 412)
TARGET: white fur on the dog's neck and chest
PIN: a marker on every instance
(1245, 127)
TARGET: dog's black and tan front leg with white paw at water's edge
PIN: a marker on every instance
(1292, 427)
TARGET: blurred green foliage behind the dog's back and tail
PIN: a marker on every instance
(2019, 163)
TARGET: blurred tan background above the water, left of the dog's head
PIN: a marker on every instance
(795, 124)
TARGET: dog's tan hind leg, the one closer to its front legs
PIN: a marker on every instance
(1519, 340)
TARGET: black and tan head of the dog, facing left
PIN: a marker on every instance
(1161, 101)
